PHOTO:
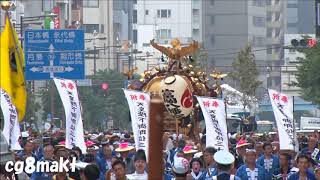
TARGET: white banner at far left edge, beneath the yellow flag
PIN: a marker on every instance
(11, 129)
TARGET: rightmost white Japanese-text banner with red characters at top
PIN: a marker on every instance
(282, 106)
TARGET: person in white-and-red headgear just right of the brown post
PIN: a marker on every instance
(180, 168)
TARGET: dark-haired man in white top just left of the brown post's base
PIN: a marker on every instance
(140, 163)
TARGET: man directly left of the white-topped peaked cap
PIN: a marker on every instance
(210, 164)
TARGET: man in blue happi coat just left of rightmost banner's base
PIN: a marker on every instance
(269, 161)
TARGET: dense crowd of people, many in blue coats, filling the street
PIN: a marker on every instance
(111, 156)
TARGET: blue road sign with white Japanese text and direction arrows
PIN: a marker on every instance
(54, 53)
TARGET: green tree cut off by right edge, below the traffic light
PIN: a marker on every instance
(308, 75)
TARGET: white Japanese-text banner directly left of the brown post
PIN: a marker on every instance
(139, 104)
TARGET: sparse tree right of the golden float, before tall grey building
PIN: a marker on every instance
(245, 72)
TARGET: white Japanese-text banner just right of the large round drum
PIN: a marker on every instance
(214, 114)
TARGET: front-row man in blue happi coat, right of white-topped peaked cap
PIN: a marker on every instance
(251, 171)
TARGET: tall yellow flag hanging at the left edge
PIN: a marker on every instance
(11, 68)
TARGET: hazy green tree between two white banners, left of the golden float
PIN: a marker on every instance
(99, 105)
